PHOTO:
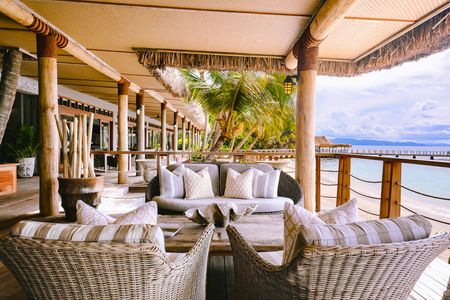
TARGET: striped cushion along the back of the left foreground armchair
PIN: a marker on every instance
(137, 233)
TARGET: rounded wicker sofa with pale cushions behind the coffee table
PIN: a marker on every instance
(288, 190)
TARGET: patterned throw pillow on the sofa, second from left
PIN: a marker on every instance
(198, 185)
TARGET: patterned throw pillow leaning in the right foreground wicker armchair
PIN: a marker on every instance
(296, 216)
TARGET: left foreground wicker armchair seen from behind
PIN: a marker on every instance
(79, 270)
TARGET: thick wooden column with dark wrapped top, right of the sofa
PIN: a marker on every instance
(305, 120)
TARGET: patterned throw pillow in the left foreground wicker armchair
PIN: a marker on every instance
(145, 214)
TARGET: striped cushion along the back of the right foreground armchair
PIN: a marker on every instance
(373, 232)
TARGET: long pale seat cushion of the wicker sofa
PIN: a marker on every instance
(265, 205)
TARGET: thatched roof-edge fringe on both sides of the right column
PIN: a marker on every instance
(430, 37)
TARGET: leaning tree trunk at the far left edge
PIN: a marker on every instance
(8, 86)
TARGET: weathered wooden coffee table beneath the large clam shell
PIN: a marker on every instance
(263, 232)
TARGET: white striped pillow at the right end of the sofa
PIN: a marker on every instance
(265, 185)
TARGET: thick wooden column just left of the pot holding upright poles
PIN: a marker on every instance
(48, 133)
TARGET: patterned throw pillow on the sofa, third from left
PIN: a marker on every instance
(239, 185)
